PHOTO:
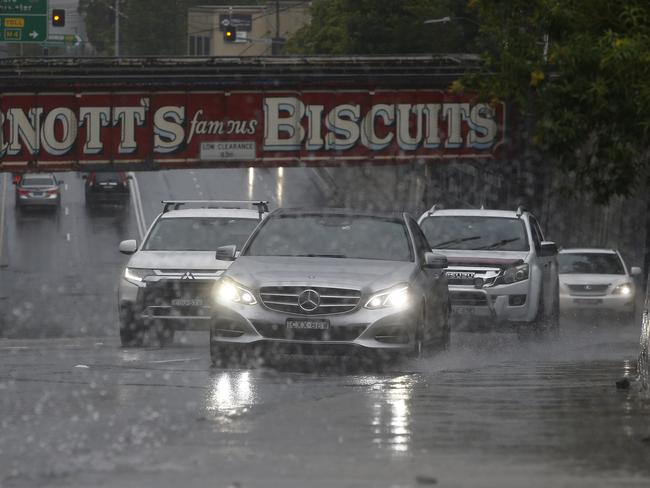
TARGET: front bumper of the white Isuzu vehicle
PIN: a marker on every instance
(499, 303)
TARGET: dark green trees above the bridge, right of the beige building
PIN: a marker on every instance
(383, 27)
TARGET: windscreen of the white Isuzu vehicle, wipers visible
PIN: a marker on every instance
(476, 233)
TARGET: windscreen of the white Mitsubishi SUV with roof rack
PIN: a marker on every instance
(198, 234)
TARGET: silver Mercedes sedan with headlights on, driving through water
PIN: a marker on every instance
(311, 280)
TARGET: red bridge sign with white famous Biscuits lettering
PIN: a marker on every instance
(64, 131)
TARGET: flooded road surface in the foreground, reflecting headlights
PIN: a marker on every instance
(493, 411)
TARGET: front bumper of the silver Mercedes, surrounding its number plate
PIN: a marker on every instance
(383, 329)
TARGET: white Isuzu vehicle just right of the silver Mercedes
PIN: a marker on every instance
(500, 267)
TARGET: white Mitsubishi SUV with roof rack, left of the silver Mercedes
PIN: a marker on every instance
(168, 280)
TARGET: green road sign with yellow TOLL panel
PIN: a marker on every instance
(23, 20)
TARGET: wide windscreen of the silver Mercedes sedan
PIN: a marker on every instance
(337, 236)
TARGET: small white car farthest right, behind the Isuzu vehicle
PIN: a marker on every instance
(596, 280)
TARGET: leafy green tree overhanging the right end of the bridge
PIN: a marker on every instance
(588, 95)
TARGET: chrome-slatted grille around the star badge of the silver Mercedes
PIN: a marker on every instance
(331, 300)
